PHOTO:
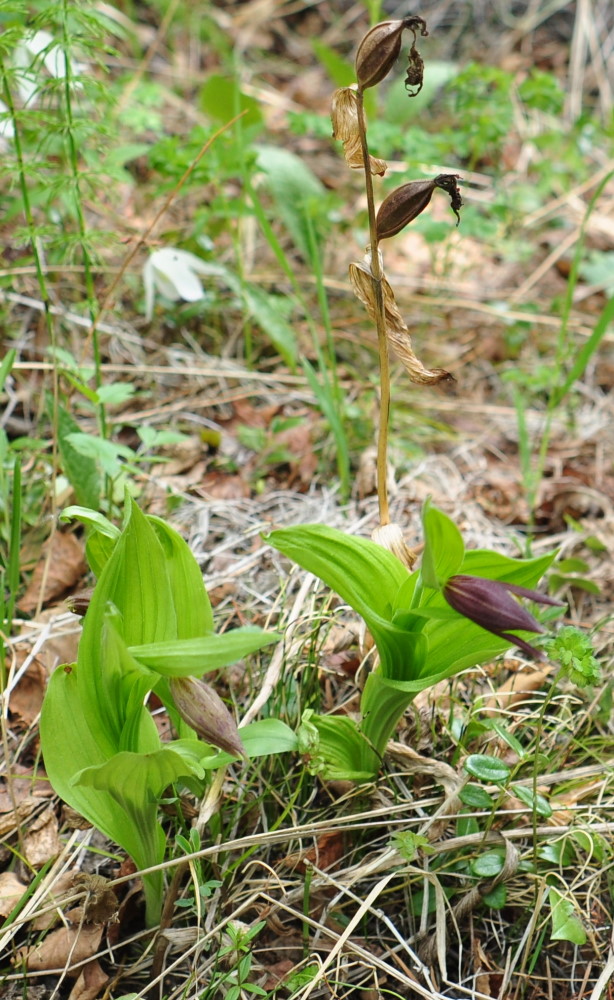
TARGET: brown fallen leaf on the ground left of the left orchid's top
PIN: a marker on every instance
(60, 567)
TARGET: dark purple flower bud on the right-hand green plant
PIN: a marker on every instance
(489, 603)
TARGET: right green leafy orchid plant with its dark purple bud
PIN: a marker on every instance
(459, 610)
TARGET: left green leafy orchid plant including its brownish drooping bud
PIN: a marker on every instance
(148, 627)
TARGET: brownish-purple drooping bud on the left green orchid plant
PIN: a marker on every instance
(203, 709)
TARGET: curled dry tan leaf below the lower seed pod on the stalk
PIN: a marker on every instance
(396, 328)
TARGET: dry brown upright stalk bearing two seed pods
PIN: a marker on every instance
(380, 322)
